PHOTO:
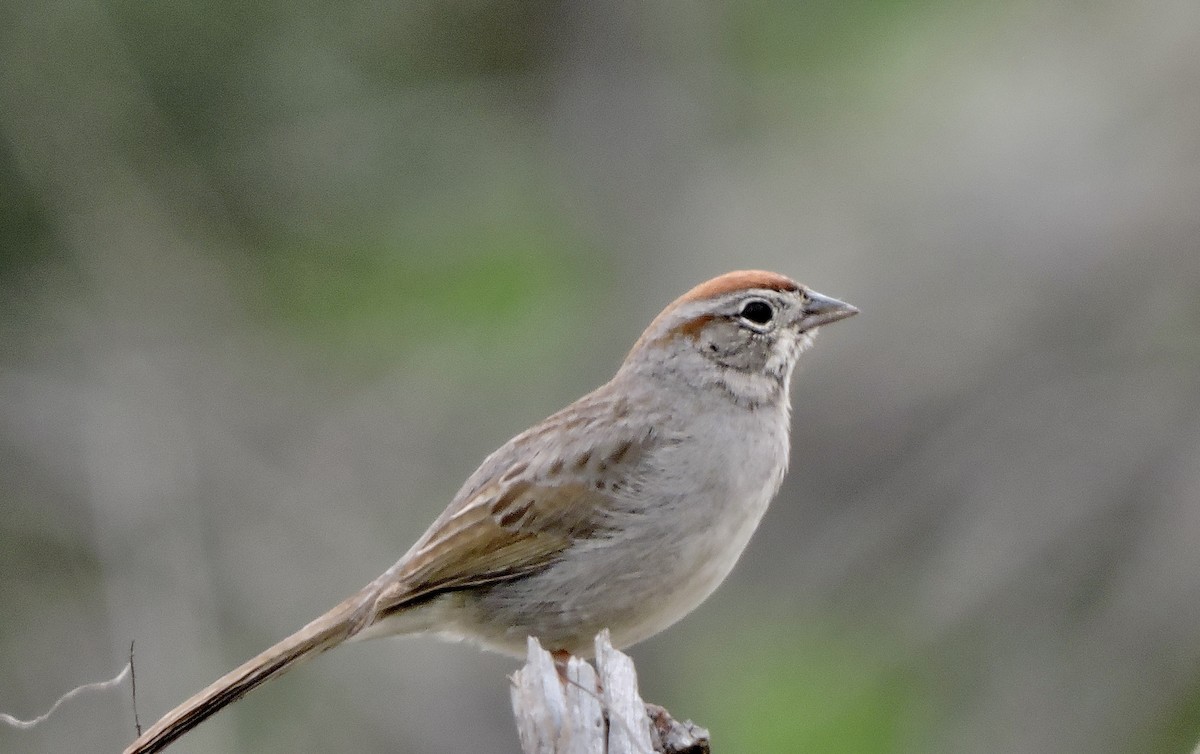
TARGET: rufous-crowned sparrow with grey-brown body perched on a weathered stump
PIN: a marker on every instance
(623, 511)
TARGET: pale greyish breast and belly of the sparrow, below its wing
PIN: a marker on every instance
(697, 502)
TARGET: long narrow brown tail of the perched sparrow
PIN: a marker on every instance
(317, 637)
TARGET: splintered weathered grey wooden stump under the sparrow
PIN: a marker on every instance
(593, 711)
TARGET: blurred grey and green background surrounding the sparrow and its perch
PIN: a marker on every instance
(275, 277)
